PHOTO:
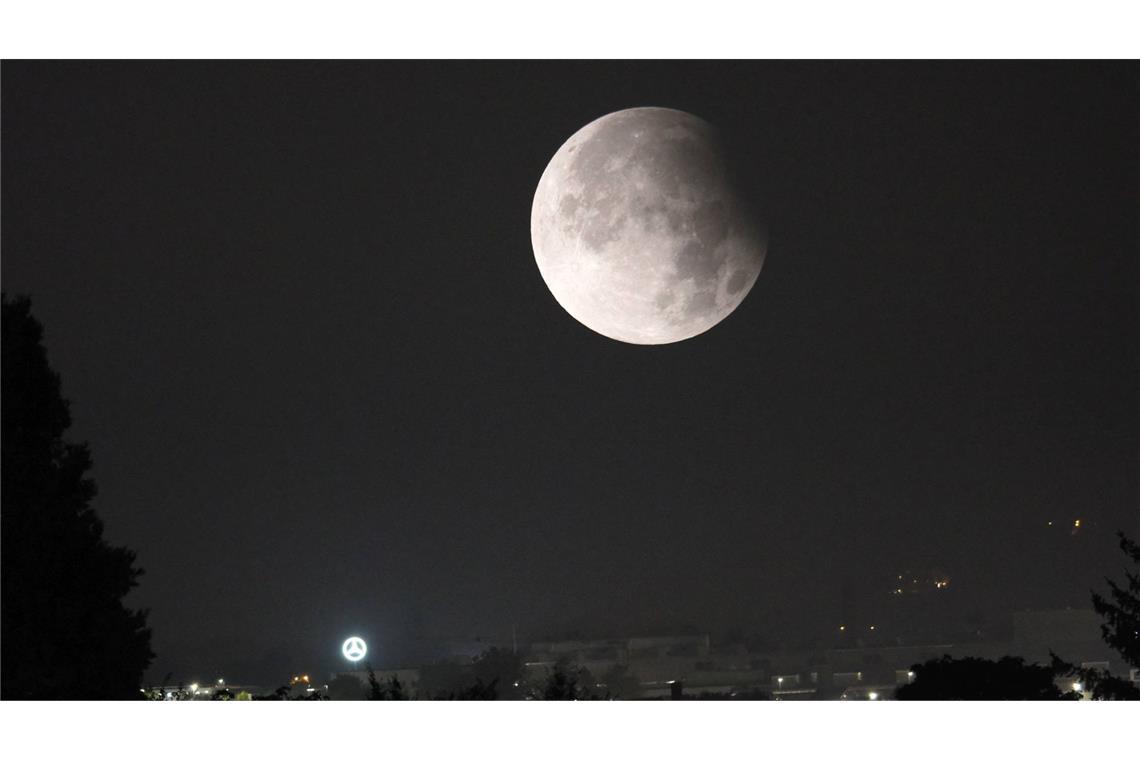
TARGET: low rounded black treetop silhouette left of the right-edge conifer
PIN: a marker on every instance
(973, 679)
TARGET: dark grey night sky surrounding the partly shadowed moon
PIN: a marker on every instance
(297, 313)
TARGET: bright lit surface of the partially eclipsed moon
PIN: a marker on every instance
(638, 231)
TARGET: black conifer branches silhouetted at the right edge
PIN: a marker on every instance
(1121, 631)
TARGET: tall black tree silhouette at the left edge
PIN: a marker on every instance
(66, 631)
